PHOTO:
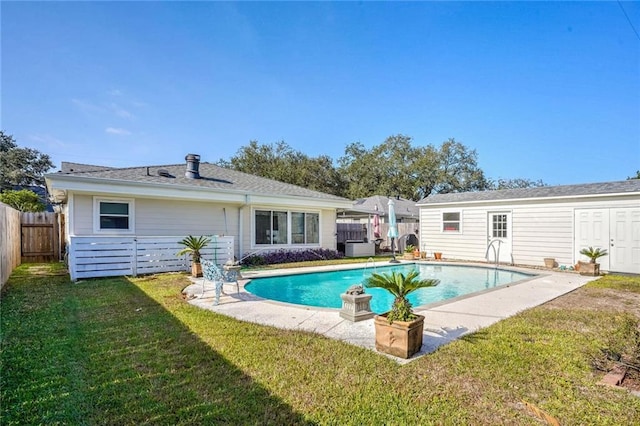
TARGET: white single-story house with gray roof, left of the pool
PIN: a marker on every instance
(127, 221)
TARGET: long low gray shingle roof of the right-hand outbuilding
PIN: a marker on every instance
(618, 187)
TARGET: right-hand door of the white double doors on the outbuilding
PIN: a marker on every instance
(624, 247)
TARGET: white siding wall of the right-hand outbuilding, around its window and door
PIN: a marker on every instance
(540, 229)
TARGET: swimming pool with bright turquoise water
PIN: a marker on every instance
(323, 289)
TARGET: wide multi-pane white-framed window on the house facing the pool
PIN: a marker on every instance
(274, 227)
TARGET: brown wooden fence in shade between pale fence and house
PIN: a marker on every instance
(41, 237)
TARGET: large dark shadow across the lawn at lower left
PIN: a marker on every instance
(102, 351)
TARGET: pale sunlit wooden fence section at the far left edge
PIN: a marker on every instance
(9, 241)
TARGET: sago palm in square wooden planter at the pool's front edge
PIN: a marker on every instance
(399, 331)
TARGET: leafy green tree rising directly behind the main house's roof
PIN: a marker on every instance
(281, 162)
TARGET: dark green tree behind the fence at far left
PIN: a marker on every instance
(21, 166)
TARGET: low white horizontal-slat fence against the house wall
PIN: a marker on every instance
(93, 256)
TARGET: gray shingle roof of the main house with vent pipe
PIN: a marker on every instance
(211, 176)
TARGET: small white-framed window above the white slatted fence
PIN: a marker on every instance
(113, 215)
